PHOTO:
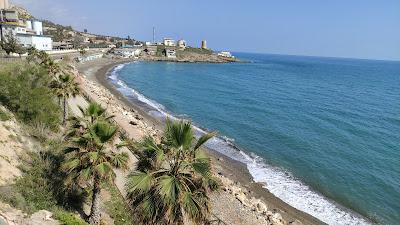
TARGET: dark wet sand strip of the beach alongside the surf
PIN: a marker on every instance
(223, 165)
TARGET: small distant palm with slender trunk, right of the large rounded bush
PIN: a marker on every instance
(65, 87)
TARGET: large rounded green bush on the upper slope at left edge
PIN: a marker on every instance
(24, 89)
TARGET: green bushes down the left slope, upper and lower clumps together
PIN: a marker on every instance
(26, 90)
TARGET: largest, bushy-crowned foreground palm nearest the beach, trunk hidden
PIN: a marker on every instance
(173, 179)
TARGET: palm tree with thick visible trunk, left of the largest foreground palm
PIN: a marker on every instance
(88, 163)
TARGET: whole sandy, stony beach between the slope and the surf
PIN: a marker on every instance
(241, 201)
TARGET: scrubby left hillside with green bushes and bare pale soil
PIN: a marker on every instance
(28, 93)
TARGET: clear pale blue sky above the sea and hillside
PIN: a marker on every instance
(368, 29)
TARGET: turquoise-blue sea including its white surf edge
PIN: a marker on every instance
(323, 133)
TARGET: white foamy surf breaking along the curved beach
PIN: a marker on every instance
(278, 181)
